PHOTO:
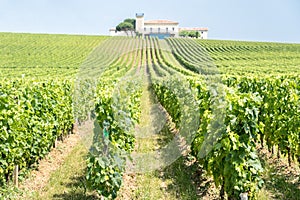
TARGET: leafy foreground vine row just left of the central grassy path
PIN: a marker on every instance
(106, 162)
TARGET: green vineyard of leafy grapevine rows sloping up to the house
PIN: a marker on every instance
(224, 99)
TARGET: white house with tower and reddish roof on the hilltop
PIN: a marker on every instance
(157, 28)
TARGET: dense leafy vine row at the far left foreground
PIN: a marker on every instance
(33, 114)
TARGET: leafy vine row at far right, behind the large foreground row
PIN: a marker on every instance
(279, 113)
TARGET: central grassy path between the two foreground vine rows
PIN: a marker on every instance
(174, 181)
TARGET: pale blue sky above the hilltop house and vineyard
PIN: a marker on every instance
(250, 20)
